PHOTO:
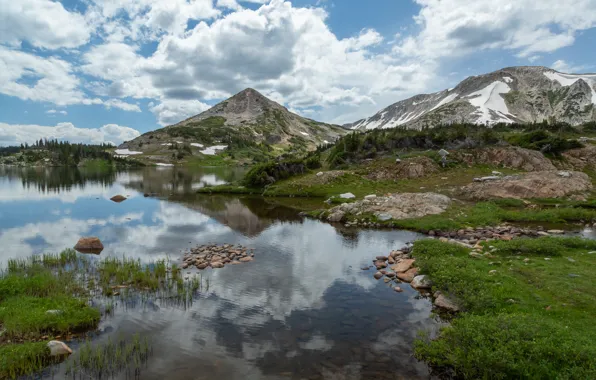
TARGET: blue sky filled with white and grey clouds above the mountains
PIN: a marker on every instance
(97, 71)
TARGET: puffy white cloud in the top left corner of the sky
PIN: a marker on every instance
(43, 23)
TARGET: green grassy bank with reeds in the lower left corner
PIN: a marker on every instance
(47, 297)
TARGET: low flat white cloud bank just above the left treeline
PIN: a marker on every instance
(15, 134)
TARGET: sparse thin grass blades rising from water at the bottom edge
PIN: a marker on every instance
(110, 359)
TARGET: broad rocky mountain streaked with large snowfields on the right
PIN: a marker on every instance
(513, 94)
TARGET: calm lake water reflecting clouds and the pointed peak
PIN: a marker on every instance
(303, 309)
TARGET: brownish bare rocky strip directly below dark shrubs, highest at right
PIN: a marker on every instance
(506, 157)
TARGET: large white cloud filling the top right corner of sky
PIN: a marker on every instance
(457, 27)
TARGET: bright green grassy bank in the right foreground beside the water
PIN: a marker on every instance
(529, 319)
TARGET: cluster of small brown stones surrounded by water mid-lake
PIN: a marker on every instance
(216, 256)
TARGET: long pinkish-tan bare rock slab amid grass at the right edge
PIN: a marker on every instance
(545, 184)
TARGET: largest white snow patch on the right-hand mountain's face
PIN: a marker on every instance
(489, 99)
